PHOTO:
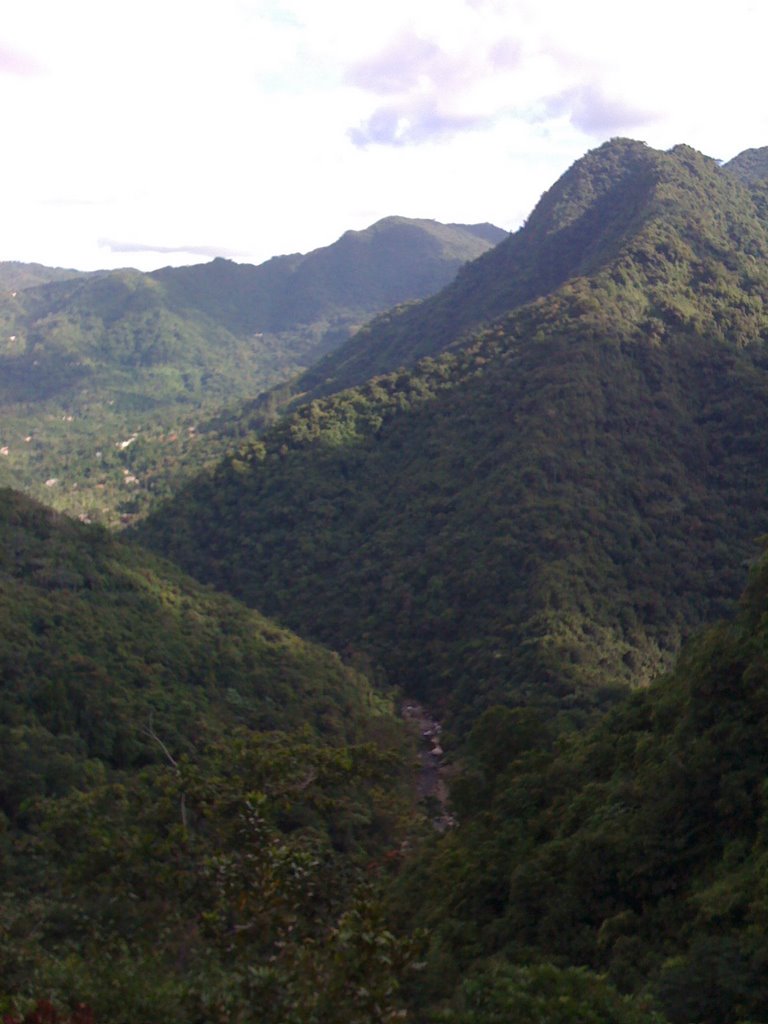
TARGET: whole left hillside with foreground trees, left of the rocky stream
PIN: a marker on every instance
(190, 796)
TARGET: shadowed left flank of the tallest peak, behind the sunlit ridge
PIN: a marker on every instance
(573, 231)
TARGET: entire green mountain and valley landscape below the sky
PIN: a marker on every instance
(385, 630)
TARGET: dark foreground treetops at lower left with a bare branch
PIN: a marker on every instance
(232, 886)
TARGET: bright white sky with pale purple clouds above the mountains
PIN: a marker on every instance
(167, 133)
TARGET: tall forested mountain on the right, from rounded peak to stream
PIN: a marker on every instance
(540, 515)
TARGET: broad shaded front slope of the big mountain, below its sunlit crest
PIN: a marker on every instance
(520, 521)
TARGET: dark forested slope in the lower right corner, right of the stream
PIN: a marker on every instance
(637, 848)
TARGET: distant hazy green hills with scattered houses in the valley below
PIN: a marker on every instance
(92, 363)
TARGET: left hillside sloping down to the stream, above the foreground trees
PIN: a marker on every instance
(107, 654)
